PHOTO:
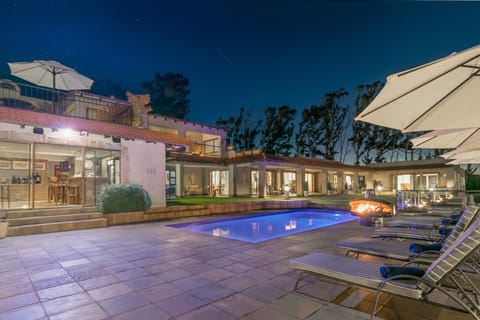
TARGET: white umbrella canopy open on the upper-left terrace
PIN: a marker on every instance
(50, 74)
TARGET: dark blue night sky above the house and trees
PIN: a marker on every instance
(250, 54)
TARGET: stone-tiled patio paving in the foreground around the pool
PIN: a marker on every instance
(151, 271)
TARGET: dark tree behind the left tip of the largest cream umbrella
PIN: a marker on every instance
(362, 141)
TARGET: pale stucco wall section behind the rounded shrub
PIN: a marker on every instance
(144, 163)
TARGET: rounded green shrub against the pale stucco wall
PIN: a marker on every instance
(122, 198)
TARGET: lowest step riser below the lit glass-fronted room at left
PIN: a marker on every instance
(57, 227)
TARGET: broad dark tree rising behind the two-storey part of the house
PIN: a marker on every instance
(169, 94)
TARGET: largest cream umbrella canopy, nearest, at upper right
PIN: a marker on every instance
(442, 94)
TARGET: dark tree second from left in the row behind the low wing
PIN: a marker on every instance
(278, 130)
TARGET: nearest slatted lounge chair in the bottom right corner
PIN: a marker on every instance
(444, 275)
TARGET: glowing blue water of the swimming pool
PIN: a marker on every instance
(263, 227)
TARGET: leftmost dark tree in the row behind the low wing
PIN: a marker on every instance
(242, 131)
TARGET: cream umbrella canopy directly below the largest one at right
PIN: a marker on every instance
(448, 139)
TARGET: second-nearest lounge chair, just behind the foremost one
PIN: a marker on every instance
(400, 250)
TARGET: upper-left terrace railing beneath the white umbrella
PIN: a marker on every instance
(80, 104)
